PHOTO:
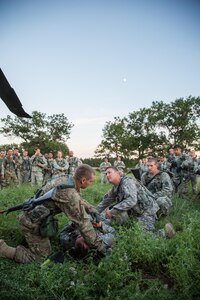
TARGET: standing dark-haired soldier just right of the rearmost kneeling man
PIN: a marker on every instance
(181, 167)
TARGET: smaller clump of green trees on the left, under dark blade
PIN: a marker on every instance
(39, 128)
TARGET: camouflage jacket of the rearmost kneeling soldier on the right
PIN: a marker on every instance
(159, 185)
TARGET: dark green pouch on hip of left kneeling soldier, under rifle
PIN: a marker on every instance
(49, 227)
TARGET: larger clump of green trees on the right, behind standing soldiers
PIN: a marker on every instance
(153, 130)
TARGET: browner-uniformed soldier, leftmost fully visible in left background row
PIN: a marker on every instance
(9, 168)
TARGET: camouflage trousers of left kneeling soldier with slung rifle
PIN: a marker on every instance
(38, 247)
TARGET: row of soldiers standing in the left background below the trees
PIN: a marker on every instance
(37, 169)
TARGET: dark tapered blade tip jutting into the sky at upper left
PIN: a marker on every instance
(10, 98)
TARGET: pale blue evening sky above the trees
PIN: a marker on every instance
(72, 57)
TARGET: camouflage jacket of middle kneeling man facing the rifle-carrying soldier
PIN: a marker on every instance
(129, 196)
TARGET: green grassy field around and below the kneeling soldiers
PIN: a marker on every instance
(140, 265)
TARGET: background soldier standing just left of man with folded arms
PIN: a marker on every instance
(25, 168)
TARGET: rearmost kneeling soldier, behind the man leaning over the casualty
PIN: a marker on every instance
(159, 184)
